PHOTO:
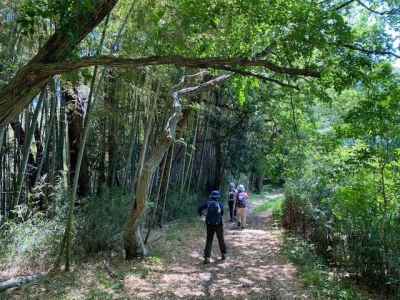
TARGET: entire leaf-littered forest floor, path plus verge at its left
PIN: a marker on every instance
(254, 268)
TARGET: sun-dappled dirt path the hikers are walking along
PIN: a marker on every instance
(254, 268)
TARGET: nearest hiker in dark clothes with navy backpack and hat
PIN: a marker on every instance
(214, 213)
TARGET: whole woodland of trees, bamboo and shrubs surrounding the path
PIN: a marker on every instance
(120, 116)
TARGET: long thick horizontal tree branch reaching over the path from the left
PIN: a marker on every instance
(28, 81)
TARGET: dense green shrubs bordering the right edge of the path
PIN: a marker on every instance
(339, 204)
